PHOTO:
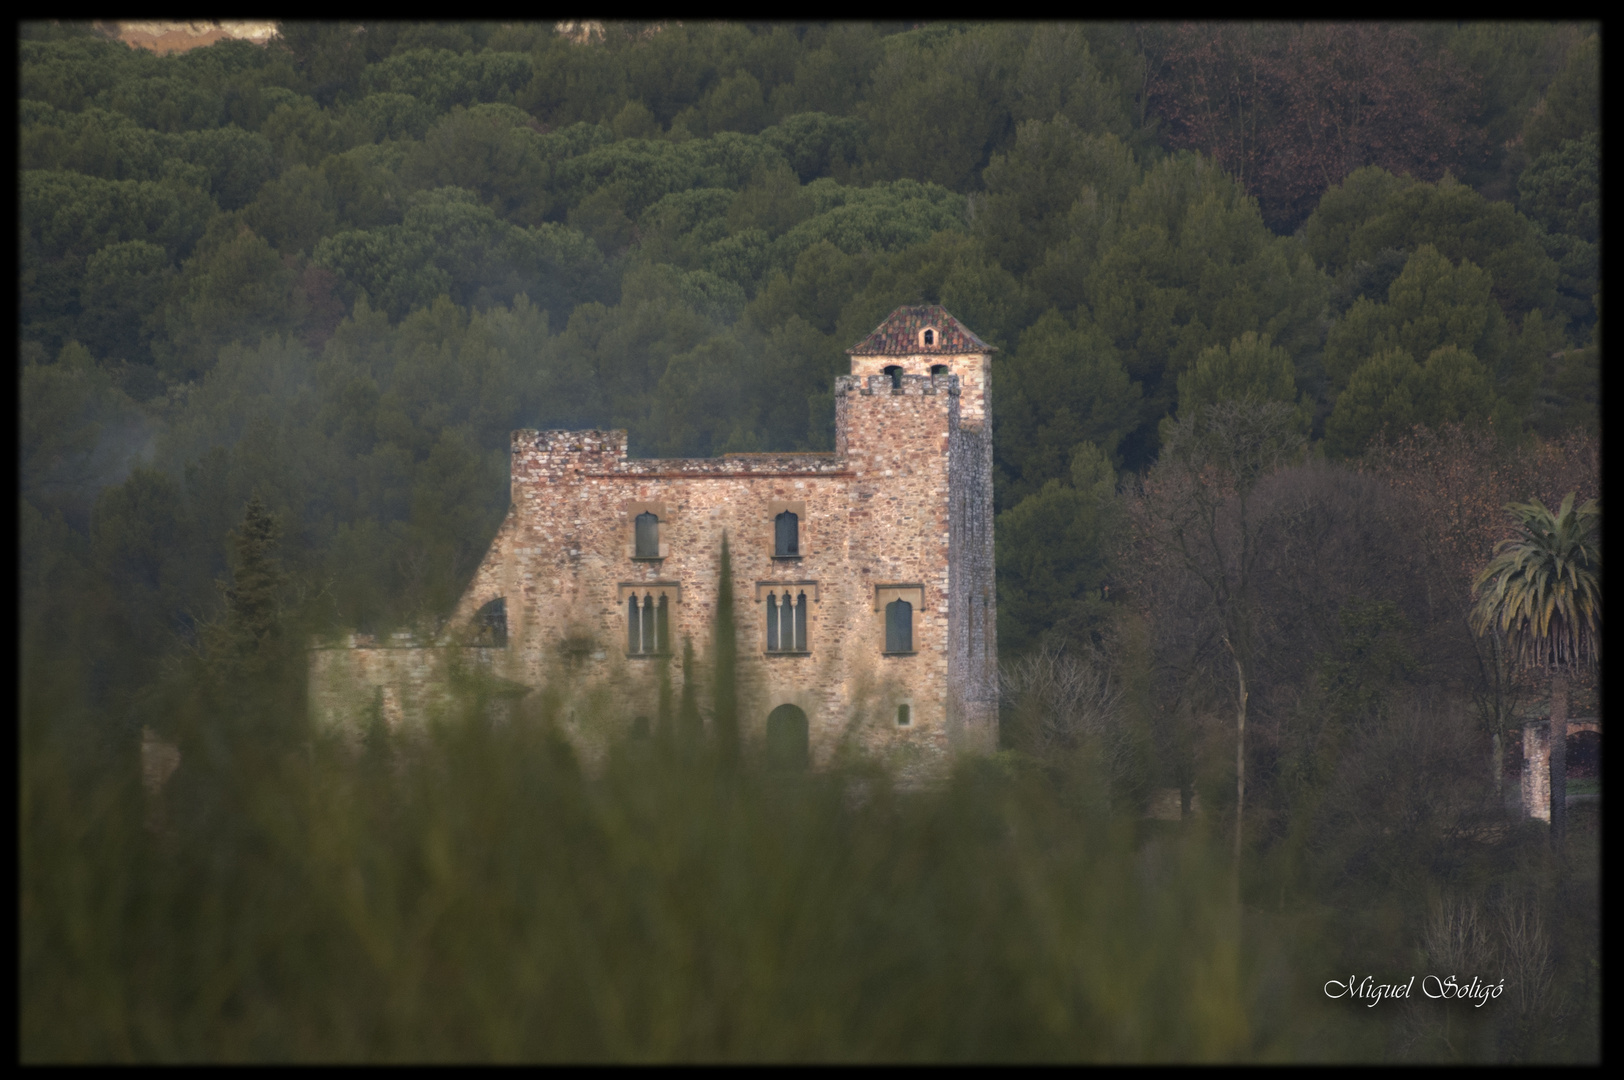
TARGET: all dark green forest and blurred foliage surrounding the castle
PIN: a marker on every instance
(327, 277)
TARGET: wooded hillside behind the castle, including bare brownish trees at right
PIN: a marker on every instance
(1334, 287)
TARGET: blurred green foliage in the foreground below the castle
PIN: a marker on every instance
(473, 896)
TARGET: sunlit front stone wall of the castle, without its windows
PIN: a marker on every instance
(873, 514)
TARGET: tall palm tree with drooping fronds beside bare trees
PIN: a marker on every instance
(1544, 594)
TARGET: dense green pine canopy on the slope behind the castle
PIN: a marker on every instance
(340, 267)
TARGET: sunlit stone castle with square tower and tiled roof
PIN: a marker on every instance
(863, 579)
